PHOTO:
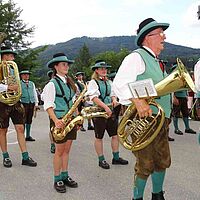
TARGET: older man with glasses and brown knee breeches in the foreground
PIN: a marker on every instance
(142, 64)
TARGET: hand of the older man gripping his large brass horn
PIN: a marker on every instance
(143, 108)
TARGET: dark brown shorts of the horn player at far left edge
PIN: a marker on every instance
(15, 112)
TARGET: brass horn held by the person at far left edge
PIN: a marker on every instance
(9, 74)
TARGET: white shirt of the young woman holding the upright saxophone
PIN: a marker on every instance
(49, 94)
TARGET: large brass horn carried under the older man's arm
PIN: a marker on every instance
(135, 133)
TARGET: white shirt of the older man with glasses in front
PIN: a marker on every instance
(132, 66)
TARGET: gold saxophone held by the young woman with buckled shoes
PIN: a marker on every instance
(60, 134)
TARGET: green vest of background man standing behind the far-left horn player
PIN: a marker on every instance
(27, 92)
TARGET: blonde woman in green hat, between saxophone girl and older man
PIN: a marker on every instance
(100, 92)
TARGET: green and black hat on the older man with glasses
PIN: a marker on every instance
(147, 26)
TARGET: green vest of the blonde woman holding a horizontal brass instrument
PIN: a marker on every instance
(105, 90)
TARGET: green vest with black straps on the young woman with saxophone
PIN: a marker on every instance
(63, 99)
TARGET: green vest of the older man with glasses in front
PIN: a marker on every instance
(153, 70)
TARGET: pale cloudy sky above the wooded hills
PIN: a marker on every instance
(62, 20)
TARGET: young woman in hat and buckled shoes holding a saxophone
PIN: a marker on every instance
(58, 97)
